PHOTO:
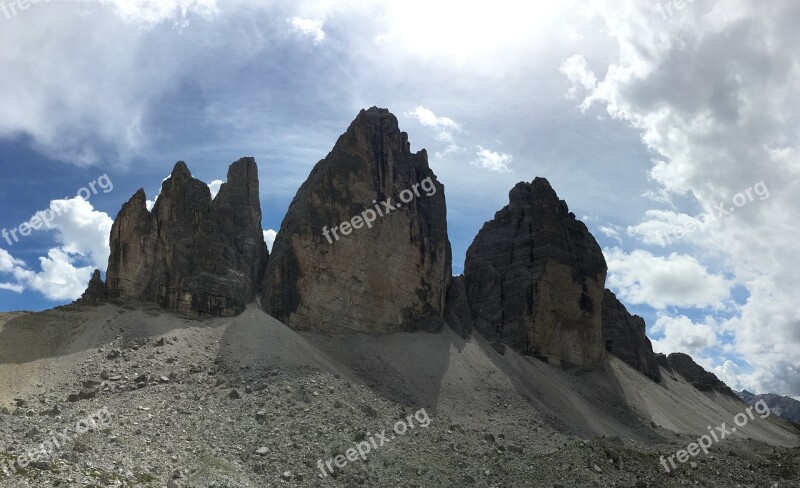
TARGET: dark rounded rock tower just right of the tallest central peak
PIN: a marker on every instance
(535, 277)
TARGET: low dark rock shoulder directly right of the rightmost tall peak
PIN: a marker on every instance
(625, 337)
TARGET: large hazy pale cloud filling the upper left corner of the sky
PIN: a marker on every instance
(46, 98)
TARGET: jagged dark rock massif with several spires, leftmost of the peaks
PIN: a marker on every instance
(191, 254)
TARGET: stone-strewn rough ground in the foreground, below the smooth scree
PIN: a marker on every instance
(202, 423)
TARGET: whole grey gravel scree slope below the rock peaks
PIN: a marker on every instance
(248, 402)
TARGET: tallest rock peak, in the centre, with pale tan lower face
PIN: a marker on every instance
(390, 276)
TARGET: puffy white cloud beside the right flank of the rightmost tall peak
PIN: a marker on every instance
(673, 281)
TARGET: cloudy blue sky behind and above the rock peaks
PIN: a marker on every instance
(669, 127)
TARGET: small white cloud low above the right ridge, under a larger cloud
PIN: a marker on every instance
(683, 335)
